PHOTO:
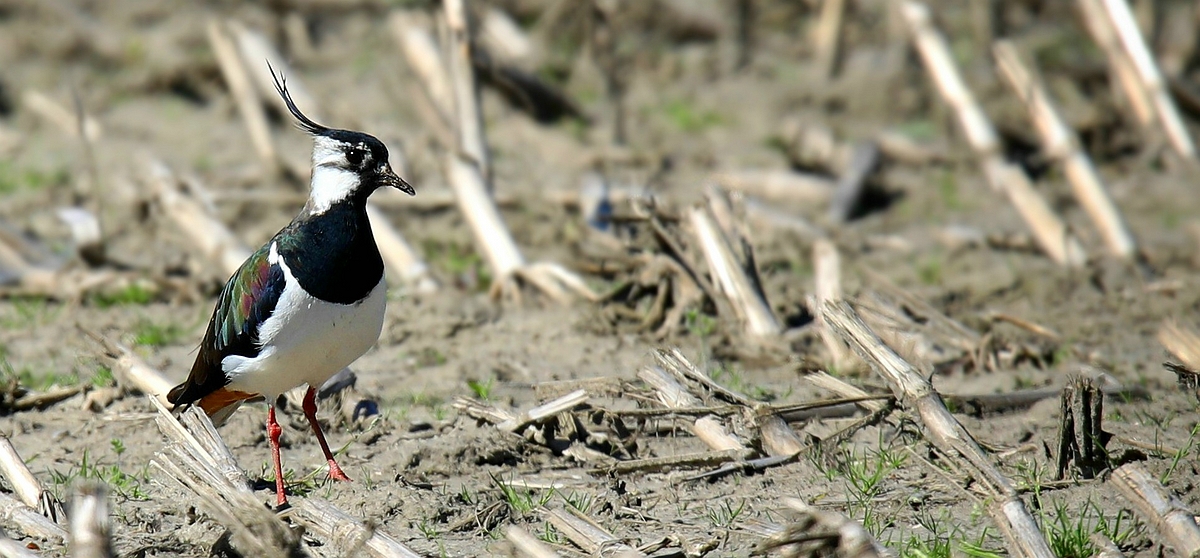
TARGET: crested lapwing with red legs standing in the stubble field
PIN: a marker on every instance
(308, 303)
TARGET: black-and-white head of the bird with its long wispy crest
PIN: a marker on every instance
(346, 165)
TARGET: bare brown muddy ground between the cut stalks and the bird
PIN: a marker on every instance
(147, 75)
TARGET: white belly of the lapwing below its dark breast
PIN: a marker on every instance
(307, 341)
